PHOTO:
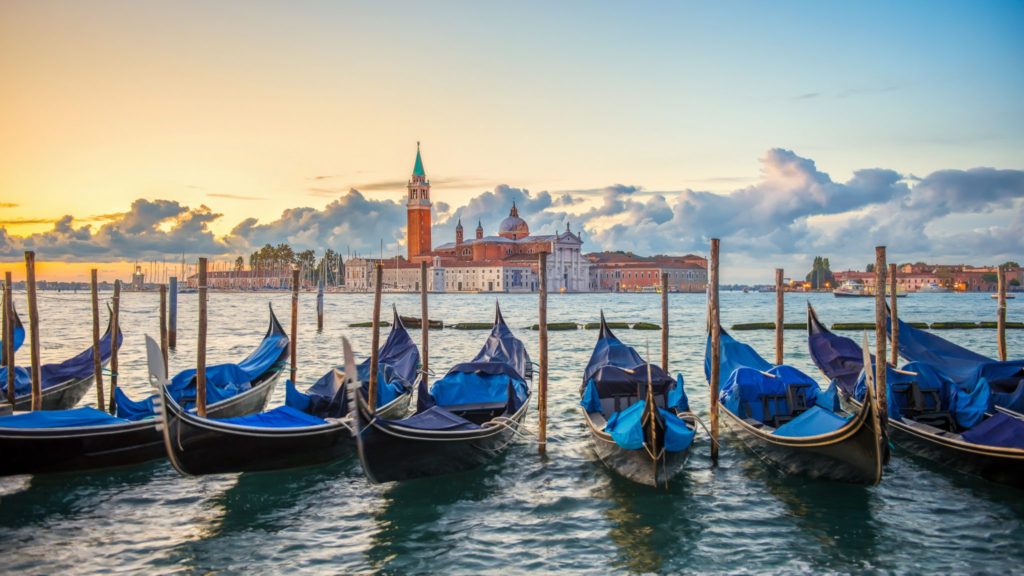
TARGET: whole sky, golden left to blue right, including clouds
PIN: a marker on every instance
(148, 131)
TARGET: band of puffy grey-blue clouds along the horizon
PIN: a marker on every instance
(792, 213)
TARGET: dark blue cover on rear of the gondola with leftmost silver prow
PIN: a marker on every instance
(399, 361)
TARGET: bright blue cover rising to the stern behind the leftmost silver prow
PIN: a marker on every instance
(223, 381)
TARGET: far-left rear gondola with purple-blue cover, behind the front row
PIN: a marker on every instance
(64, 384)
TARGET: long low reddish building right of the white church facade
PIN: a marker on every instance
(625, 272)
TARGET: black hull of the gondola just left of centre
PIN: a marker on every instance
(393, 454)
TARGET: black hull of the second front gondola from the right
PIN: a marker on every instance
(855, 454)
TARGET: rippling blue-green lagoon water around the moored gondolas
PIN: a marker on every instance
(522, 513)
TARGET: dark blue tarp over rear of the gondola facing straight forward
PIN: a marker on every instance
(616, 369)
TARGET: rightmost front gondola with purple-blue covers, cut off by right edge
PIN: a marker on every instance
(929, 416)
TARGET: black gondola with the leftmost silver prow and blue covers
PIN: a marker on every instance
(311, 429)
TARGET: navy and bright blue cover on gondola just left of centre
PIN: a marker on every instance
(495, 376)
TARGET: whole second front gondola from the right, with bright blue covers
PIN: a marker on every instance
(787, 420)
